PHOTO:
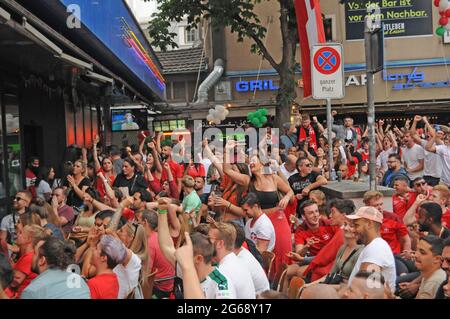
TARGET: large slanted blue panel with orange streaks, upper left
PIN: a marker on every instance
(112, 23)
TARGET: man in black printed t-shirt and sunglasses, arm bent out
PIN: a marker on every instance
(305, 181)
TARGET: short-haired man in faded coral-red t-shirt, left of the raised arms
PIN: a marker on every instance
(165, 272)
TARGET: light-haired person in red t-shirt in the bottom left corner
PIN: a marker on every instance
(23, 274)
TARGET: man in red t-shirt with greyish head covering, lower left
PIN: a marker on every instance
(106, 255)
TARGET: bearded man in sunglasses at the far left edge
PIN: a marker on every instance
(21, 203)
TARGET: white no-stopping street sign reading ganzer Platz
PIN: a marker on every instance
(327, 71)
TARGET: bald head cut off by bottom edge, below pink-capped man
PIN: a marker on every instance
(366, 285)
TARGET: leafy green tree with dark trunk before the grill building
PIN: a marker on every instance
(240, 17)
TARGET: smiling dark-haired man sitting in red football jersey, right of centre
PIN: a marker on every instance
(310, 238)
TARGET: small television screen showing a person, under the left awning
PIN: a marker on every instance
(129, 120)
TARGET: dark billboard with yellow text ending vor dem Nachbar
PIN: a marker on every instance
(401, 17)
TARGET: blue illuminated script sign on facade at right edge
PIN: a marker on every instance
(412, 80)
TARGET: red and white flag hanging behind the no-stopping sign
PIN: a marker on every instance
(311, 31)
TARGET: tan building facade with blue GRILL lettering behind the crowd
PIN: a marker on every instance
(415, 79)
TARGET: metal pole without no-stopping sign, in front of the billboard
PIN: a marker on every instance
(370, 110)
